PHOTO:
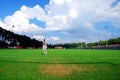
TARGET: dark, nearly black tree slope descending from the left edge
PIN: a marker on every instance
(8, 38)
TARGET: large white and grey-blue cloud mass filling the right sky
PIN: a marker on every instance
(81, 15)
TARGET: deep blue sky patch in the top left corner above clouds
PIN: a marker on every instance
(8, 7)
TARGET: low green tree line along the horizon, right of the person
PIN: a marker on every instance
(114, 41)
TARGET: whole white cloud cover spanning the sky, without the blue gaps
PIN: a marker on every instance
(75, 17)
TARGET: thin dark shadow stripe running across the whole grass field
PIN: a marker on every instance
(51, 62)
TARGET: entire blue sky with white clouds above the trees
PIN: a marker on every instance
(62, 21)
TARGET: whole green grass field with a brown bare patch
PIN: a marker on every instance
(66, 64)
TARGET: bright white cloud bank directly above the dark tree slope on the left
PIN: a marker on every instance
(21, 21)
